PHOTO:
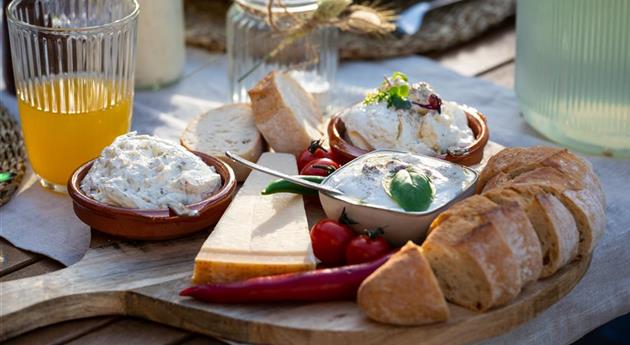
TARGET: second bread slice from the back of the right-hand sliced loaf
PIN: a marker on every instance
(586, 208)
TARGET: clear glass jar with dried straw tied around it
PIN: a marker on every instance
(312, 60)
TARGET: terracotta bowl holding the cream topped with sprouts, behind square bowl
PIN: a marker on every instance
(471, 155)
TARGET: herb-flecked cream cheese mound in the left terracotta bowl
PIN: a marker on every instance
(145, 172)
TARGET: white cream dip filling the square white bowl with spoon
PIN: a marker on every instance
(362, 179)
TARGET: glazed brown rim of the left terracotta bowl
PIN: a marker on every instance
(162, 215)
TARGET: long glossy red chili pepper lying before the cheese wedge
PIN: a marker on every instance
(339, 283)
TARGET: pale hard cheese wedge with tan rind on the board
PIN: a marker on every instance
(258, 235)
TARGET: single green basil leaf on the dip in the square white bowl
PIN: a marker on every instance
(410, 189)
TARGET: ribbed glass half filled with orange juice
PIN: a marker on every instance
(74, 63)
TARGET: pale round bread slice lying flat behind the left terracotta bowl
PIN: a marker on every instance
(230, 127)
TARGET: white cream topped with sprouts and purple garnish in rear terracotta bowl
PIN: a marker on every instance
(419, 130)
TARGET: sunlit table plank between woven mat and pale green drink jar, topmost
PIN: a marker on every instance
(483, 53)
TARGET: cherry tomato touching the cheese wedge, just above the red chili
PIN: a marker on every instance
(329, 240)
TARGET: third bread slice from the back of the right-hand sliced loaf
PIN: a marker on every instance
(554, 224)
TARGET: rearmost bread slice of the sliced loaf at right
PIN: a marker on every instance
(511, 162)
